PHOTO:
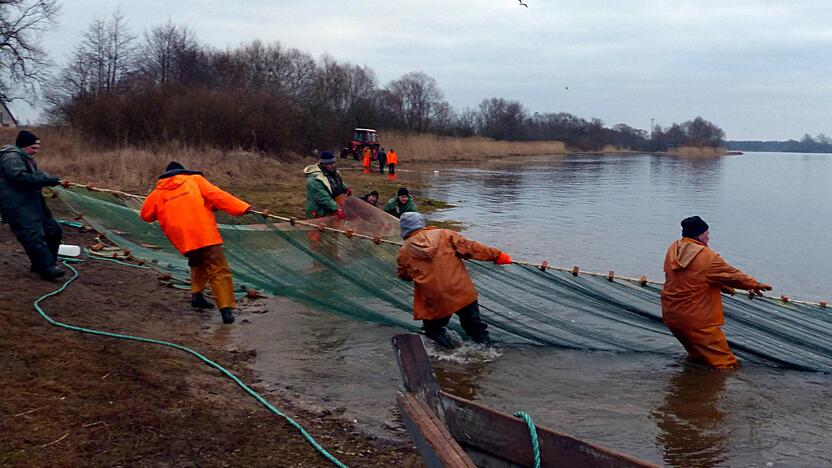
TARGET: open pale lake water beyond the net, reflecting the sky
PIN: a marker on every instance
(769, 212)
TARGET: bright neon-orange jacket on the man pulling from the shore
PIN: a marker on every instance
(183, 203)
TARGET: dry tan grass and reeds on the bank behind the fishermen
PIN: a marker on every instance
(265, 181)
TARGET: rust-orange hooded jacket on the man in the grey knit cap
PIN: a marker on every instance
(432, 259)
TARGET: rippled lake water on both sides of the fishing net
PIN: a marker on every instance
(768, 215)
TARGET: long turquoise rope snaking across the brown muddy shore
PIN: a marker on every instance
(202, 358)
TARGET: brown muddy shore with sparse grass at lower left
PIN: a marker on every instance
(70, 399)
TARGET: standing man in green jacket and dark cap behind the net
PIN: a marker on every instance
(324, 186)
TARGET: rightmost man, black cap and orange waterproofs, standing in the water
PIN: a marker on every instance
(695, 276)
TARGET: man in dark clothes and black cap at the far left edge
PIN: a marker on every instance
(22, 205)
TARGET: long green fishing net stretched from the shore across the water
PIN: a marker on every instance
(523, 305)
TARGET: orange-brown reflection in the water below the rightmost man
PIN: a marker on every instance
(691, 419)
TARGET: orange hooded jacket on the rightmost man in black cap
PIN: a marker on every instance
(694, 278)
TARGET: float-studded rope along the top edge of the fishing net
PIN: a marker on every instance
(543, 266)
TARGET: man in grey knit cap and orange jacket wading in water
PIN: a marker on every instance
(432, 259)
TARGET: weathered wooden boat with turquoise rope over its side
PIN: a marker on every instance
(450, 431)
